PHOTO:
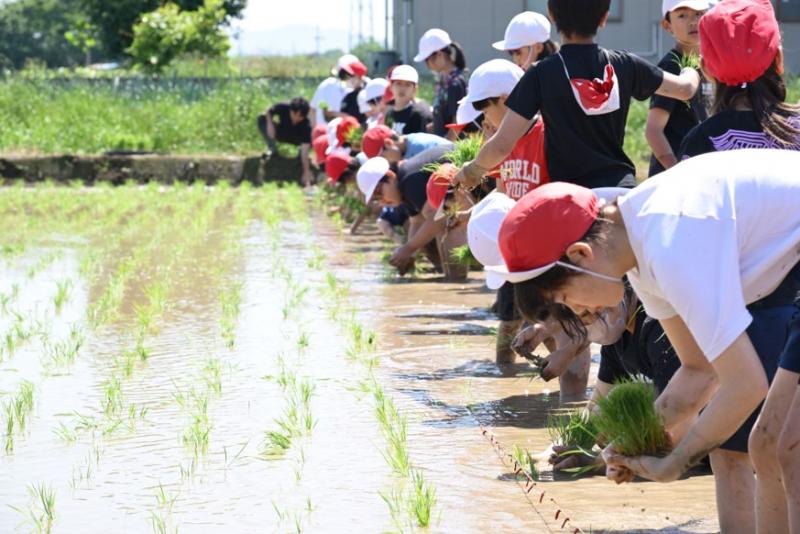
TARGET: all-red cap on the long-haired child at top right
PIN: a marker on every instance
(739, 40)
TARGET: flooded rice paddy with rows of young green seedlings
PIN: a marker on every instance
(198, 359)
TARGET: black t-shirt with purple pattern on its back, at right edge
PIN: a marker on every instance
(727, 130)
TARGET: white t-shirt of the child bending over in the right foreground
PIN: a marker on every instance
(713, 234)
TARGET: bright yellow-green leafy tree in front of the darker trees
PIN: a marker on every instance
(168, 32)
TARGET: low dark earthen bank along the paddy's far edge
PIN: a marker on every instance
(120, 168)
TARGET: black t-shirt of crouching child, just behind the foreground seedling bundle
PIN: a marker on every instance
(646, 351)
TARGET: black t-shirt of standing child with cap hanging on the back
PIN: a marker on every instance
(580, 148)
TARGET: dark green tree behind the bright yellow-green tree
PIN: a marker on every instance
(116, 19)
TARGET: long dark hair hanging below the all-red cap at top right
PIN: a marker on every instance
(767, 97)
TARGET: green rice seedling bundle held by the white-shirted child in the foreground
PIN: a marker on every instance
(627, 417)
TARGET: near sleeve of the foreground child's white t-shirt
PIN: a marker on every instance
(696, 268)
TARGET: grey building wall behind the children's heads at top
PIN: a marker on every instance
(634, 25)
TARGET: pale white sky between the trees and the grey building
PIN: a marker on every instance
(261, 16)
